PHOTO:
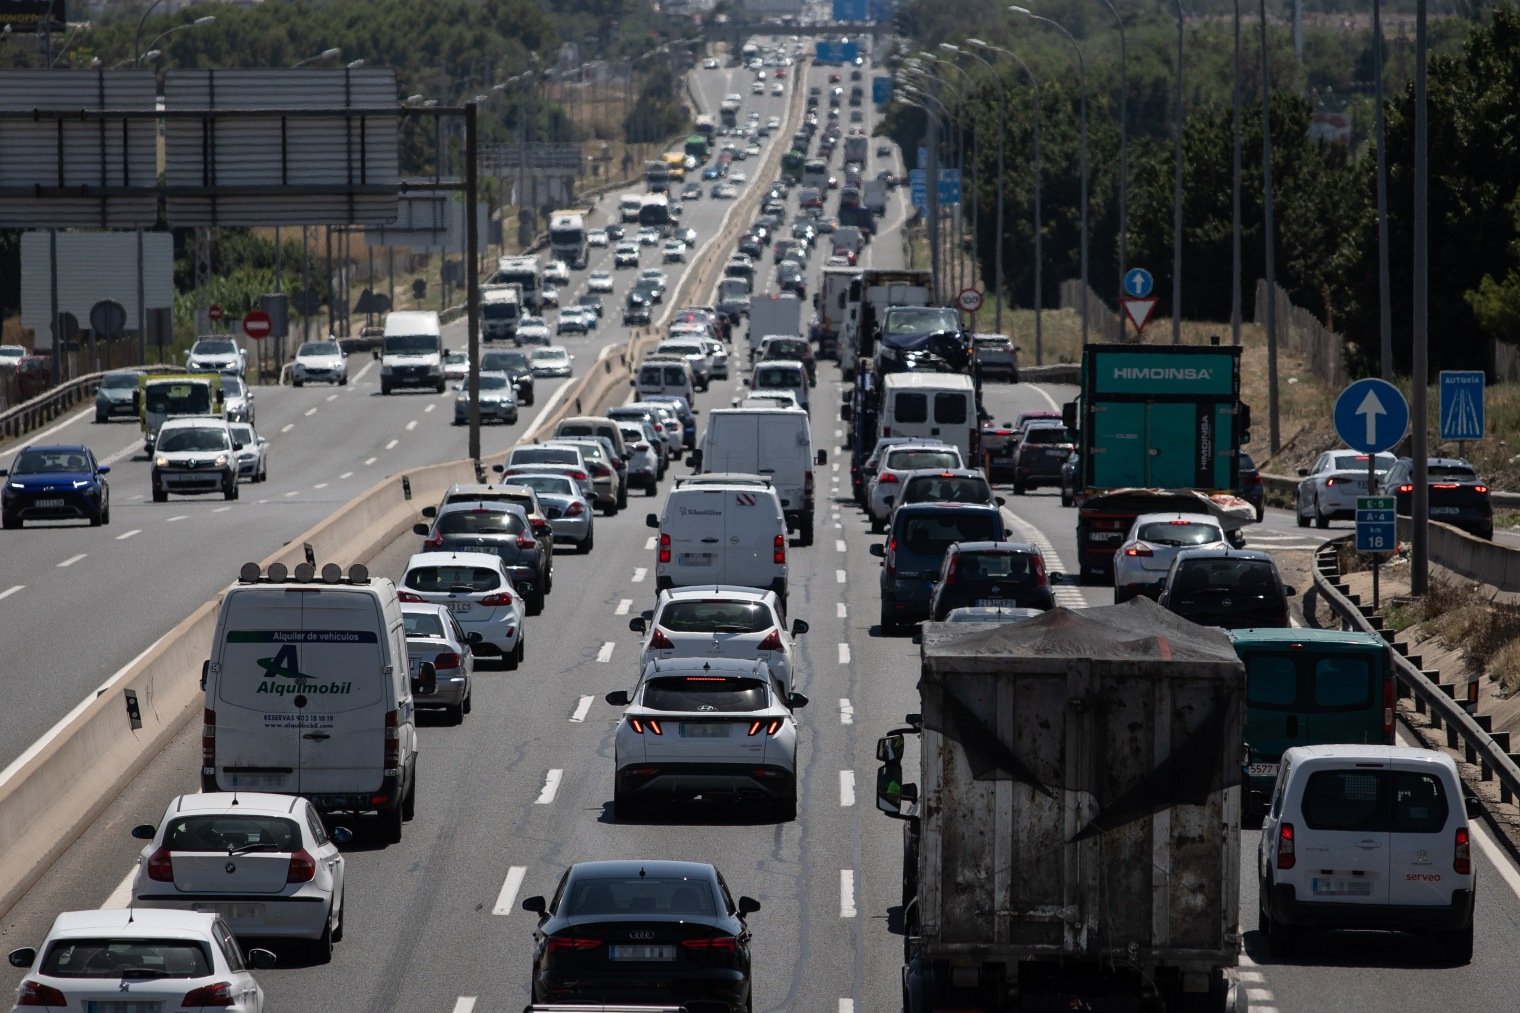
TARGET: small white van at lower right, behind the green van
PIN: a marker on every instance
(1367, 837)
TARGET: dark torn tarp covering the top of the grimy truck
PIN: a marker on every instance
(1097, 649)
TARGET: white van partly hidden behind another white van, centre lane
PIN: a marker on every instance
(771, 443)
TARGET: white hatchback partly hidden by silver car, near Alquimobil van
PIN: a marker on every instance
(478, 589)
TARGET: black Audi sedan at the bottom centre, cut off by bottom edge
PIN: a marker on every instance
(650, 933)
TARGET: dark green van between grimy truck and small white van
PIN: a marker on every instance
(1309, 688)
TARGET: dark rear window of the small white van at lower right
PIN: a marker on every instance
(1375, 801)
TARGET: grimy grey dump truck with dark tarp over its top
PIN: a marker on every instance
(1074, 842)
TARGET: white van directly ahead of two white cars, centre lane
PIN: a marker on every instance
(721, 535)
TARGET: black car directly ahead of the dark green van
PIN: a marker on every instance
(1235, 589)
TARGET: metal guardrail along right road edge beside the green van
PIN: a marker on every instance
(1481, 746)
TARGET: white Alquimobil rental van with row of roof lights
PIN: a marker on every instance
(309, 693)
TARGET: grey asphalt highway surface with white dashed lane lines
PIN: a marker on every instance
(524, 787)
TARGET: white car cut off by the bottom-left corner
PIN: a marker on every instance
(118, 959)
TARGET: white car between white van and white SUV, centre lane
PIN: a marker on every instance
(720, 621)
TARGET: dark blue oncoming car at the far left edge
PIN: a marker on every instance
(55, 483)
